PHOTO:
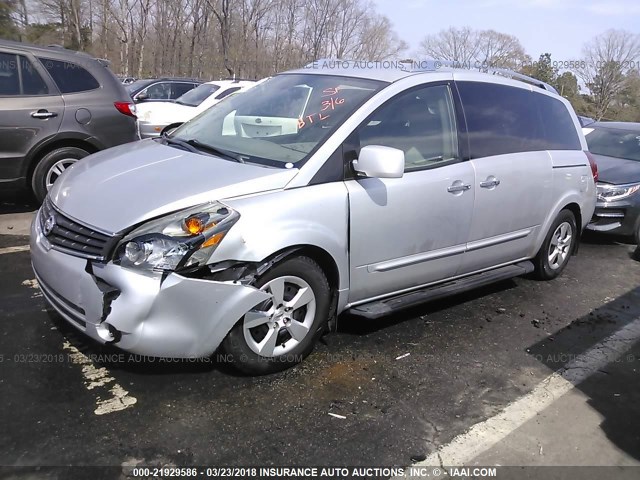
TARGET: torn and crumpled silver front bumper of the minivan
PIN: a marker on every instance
(171, 316)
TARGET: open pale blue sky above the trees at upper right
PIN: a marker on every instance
(559, 27)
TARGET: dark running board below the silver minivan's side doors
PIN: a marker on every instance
(381, 308)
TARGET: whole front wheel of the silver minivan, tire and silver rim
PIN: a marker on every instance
(262, 341)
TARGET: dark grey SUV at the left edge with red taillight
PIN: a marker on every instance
(56, 107)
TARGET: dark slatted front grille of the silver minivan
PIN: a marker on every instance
(70, 236)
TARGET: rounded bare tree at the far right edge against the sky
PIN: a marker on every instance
(607, 60)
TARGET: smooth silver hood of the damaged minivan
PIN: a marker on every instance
(122, 186)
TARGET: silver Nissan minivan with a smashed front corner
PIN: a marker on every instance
(327, 189)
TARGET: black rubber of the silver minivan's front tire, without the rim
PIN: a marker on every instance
(245, 359)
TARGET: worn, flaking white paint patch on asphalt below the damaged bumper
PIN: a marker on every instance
(100, 378)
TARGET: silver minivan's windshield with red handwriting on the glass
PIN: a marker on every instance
(281, 121)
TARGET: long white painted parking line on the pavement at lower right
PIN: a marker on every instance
(482, 436)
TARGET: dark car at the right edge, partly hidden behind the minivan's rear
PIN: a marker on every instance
(616, 148)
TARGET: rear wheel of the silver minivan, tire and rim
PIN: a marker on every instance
(557, 247)
